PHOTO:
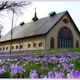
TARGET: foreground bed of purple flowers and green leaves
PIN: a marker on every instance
(47, 66)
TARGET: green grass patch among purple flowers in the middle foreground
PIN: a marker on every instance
(31, 66)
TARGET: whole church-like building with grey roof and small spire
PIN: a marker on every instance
(58, 30)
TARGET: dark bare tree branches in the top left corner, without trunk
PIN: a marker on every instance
(12, 4)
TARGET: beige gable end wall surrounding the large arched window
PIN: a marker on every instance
(53, 32)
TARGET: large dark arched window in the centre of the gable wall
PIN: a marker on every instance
(65, 38)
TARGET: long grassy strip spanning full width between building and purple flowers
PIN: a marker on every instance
(46, 52)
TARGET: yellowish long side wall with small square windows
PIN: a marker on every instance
(25, 42)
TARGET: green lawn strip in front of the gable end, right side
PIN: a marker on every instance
(57, 51)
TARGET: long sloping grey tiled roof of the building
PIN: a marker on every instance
(39, 27)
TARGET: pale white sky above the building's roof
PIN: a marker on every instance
(43, 8)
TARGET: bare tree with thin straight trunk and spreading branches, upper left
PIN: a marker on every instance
(14, 7)
